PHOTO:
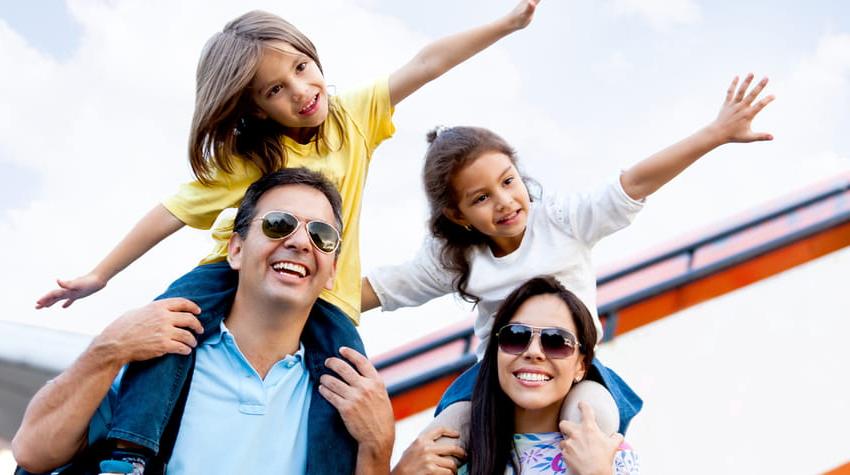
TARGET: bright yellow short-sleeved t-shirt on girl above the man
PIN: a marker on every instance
(366, 120)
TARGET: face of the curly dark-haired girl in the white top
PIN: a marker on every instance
(492, 198)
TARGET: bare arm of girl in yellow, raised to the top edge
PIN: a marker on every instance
(444, 54)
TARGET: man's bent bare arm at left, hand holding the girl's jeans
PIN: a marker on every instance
(56, 421)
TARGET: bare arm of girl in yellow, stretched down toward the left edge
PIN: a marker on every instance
(155, 226)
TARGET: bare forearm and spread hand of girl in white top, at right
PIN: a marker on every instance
(731, 125)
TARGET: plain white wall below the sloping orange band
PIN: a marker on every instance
(751, 382)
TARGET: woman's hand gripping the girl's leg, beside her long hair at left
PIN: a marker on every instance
(427, 456)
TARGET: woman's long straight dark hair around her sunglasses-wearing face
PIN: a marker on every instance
(491, 442)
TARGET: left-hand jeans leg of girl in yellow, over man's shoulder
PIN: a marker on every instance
(149, 389)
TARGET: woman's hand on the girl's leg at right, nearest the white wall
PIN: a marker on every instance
(586, 449)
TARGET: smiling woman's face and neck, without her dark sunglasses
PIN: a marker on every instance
(536, 383)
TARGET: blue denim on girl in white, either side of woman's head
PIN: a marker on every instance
(628, 403)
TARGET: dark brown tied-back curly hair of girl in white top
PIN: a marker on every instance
(450, 150)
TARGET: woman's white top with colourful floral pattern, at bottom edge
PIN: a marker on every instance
(538, 454)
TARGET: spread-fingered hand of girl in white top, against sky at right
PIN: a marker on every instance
(736, 116)
